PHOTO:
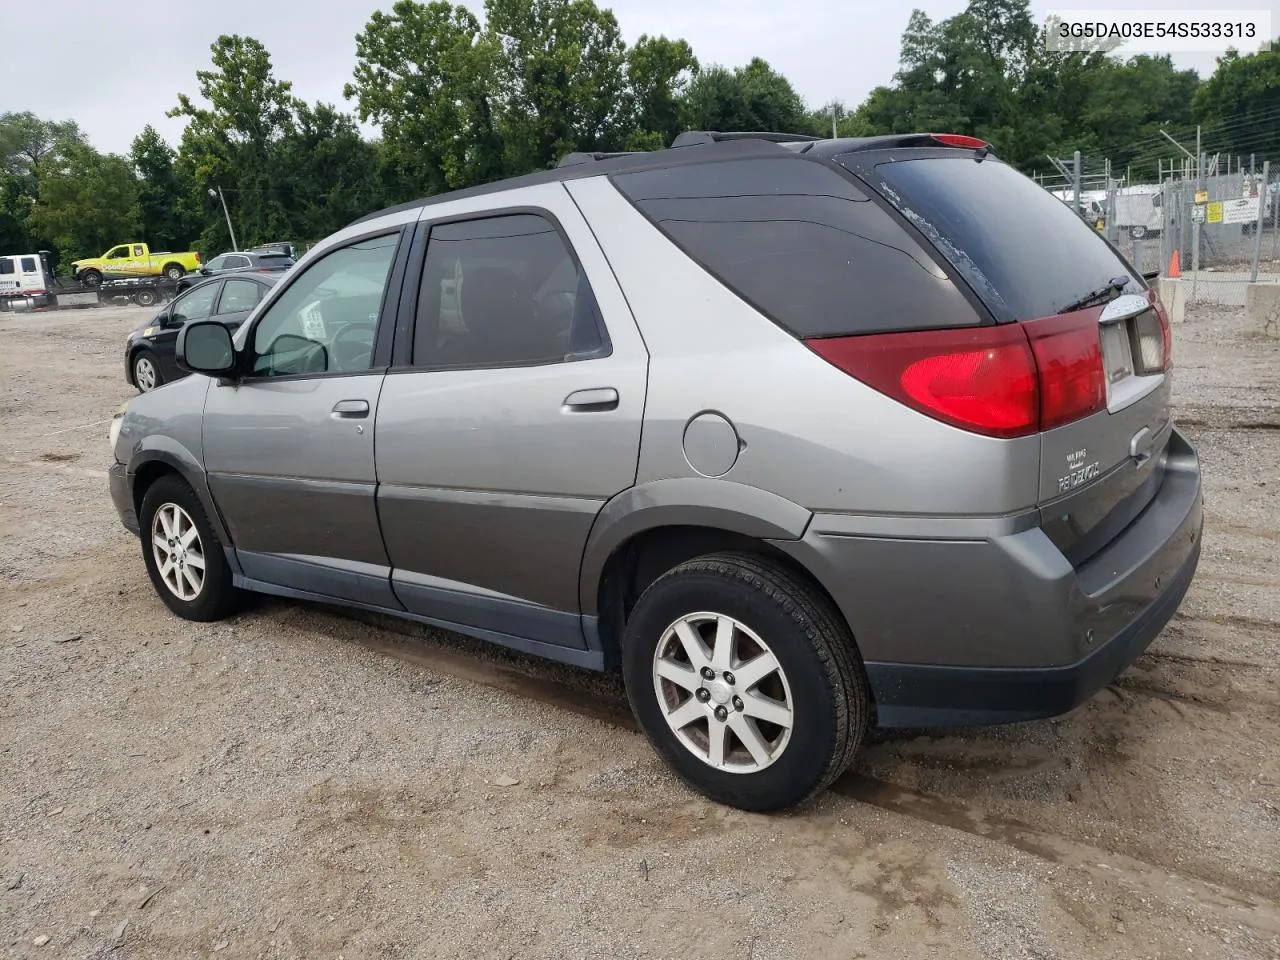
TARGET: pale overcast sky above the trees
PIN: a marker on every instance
(118, 67)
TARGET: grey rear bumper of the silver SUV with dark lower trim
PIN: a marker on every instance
(957, 630)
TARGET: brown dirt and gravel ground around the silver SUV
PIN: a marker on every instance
(301, 783)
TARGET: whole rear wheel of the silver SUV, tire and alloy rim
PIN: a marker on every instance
(819, 676)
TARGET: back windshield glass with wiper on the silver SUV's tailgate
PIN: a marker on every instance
(1023, 252)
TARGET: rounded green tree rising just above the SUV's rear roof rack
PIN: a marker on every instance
(752, 98)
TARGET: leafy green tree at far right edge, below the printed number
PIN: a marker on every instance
(1241, 103)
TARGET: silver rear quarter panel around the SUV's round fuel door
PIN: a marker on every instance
(807, 432)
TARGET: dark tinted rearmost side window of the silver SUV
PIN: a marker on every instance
(802, 244)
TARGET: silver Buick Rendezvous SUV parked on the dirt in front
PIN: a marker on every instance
(807, 437)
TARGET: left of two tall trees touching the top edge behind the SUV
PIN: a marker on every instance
(426, 74)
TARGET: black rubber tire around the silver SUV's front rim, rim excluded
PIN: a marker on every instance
(217, 598)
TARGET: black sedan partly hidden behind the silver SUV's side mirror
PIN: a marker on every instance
(149, 353)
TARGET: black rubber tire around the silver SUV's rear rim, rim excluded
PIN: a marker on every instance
(810, 639)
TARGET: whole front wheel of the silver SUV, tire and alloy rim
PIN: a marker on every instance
(171, 510)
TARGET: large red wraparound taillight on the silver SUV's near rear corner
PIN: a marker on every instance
(1003, 381)
